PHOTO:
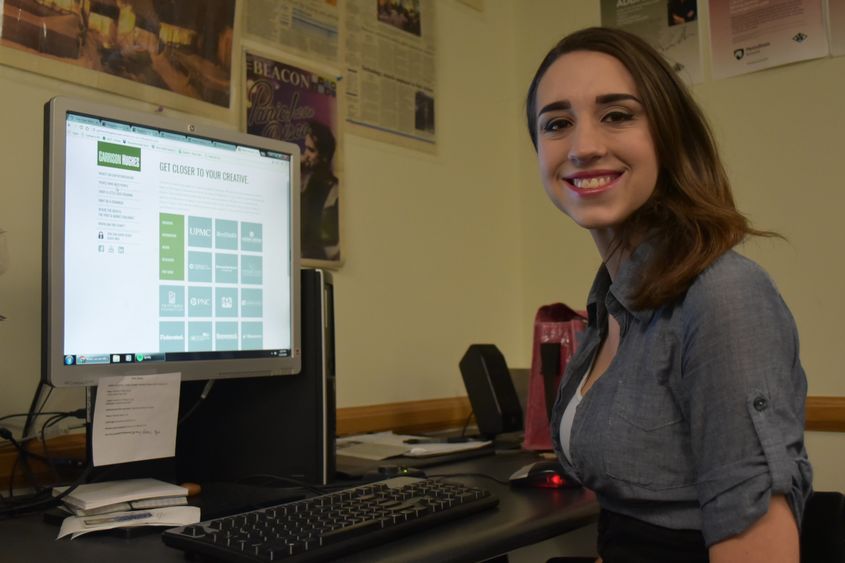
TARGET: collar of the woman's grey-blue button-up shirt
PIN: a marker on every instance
(622, 288)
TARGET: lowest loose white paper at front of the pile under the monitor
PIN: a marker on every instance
(170, 516)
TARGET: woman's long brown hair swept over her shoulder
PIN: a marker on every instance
(690, 218)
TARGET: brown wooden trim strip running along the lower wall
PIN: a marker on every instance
(826, 414)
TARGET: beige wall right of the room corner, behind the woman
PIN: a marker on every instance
(780, 135)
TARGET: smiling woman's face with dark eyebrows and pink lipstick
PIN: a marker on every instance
(596, 155)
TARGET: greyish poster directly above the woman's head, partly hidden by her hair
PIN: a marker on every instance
(670, 26)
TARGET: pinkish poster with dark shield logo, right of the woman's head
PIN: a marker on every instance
(750, 36)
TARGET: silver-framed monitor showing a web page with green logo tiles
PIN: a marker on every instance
(169, 246)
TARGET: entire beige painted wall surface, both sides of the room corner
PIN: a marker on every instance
(458, 247)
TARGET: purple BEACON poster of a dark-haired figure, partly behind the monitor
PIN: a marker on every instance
(300, 106)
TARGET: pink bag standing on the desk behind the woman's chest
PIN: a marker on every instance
(555, 329)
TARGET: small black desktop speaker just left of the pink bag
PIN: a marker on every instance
(490, 389)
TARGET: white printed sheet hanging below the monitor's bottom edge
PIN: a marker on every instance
(135, 418)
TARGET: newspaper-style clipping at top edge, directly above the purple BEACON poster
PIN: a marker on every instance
(305, 27)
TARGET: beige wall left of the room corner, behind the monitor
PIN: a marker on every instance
(431, 240)
